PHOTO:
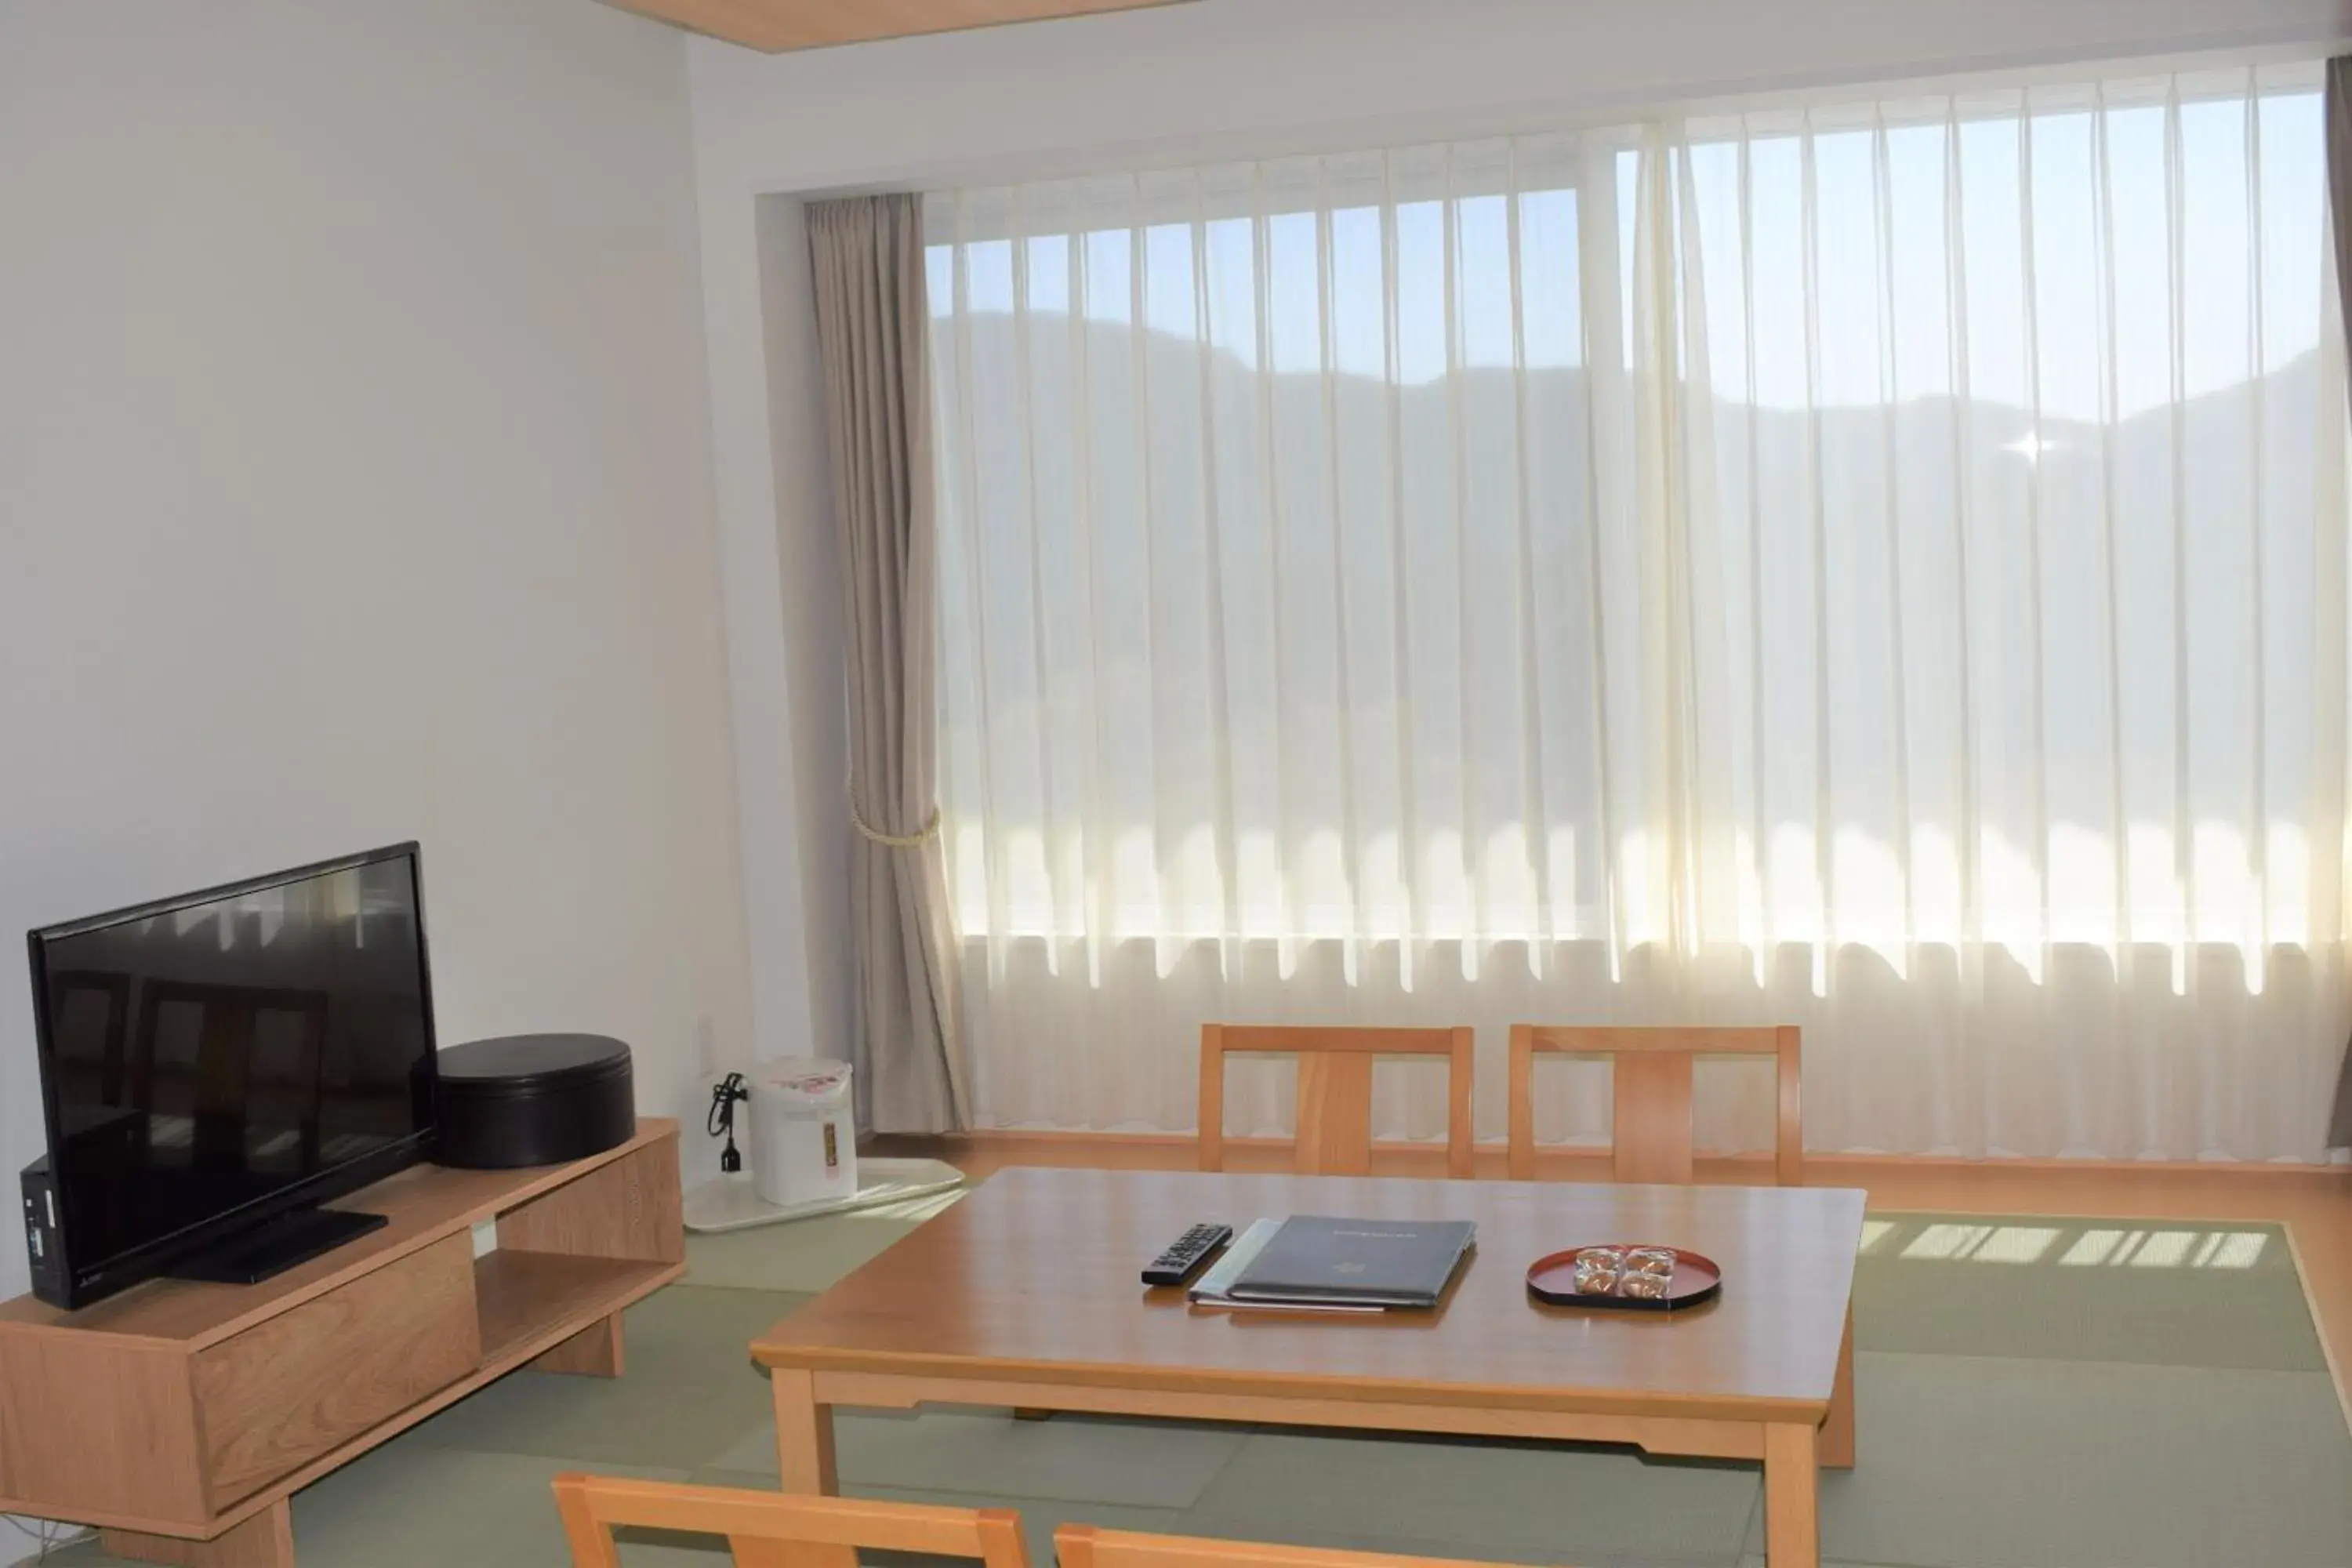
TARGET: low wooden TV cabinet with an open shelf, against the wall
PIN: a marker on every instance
(182, 1416)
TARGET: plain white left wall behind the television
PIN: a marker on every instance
(354, 485)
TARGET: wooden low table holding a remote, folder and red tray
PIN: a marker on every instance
(1027, 1296)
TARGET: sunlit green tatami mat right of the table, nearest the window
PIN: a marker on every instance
(2083, 1292)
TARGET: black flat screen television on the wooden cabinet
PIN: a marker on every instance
(218, 1066)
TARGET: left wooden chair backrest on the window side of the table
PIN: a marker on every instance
(1335, 1090)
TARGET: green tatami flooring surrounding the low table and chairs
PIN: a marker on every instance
(2031, 1395)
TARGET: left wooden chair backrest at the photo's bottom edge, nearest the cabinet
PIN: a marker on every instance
(780, 1532)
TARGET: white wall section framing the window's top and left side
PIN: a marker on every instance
(1165, 86)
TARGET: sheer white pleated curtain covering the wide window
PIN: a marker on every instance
(1864, 568)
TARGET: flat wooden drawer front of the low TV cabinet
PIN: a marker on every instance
(307, 1381)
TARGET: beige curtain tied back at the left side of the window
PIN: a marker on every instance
(867, 260)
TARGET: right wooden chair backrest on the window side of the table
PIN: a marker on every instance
(1655, 1094)
